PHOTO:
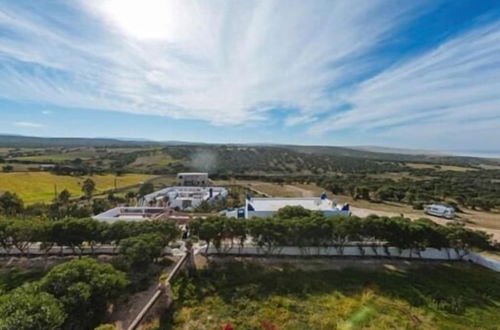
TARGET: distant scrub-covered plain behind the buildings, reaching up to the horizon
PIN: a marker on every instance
(459, 181)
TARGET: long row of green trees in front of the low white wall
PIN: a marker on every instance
(295, 226)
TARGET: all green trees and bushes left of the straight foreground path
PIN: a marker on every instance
(76, 294)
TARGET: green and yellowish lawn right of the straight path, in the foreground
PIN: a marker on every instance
(248, 296)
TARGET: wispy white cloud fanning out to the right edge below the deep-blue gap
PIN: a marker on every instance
(447, 95)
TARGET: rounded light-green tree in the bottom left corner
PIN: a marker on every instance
(29, 309)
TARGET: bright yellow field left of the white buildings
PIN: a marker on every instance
(35, 187)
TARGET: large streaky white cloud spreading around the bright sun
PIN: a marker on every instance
(220, 61)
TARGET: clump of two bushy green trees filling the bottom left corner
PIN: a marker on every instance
(74, 295)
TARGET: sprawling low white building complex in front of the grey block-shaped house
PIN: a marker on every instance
(182, 198)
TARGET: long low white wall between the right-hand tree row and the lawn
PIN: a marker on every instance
(363, 251)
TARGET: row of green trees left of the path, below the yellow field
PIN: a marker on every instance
(79, 234)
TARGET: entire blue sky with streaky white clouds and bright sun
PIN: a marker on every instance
(411, 74)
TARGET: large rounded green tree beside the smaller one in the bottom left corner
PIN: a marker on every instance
(85, 287)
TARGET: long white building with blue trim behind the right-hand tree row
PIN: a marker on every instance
(267, 207)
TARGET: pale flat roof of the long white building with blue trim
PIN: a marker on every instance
(274, 204)
